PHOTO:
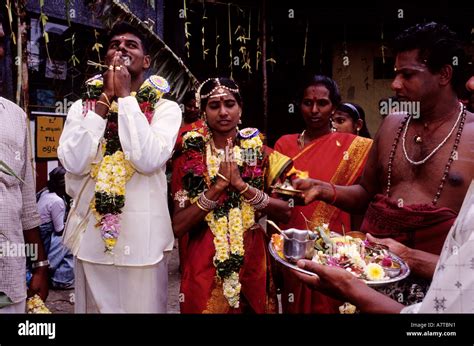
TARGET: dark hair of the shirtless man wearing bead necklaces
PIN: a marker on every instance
(438, 46)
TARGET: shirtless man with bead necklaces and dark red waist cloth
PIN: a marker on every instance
(415, 203)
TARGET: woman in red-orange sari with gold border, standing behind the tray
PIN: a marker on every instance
(338, 158)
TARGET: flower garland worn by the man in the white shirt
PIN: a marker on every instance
(114, 171)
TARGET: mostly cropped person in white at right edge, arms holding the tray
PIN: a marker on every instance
(452, 266)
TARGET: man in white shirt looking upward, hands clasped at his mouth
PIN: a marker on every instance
(132, 276)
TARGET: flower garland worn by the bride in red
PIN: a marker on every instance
(233, 215)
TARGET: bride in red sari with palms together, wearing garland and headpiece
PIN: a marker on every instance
(218, 186)
